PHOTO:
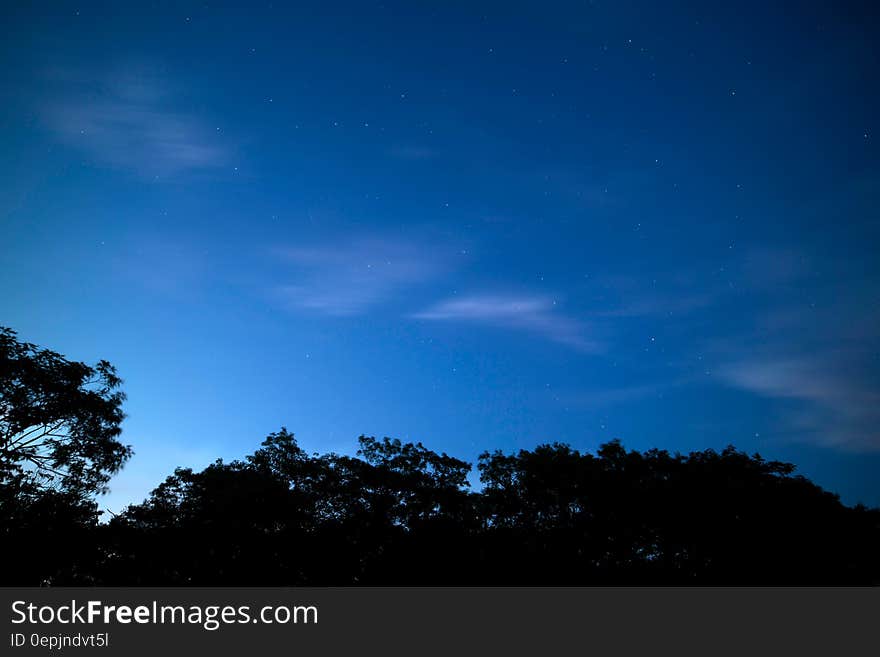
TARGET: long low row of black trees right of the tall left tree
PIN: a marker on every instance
(398, 513)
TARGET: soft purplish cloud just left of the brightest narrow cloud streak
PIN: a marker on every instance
(349, 278)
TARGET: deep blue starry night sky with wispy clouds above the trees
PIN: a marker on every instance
(479, 226)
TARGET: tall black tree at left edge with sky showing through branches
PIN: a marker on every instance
(59, 428)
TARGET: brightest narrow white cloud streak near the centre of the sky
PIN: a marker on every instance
(536, 314)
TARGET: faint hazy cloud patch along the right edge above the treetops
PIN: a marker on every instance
(809, 344)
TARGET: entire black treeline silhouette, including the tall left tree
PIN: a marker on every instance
(399, 513)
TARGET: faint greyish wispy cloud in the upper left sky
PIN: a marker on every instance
(131, 121)
